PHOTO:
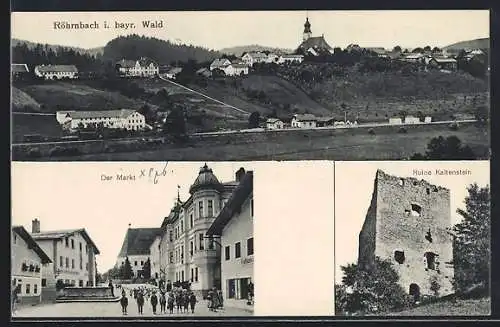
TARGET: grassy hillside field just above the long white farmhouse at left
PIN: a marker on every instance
(77, 96)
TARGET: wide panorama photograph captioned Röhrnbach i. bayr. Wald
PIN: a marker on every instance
(250, 85)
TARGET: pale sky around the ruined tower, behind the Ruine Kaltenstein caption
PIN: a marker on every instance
(354, 189)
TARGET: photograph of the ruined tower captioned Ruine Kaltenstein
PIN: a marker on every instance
(412, 238)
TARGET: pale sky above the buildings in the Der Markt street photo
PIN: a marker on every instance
(72, 195)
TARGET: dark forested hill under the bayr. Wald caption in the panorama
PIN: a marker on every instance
(164, 52)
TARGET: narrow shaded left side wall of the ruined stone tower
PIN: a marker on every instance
(366, 254)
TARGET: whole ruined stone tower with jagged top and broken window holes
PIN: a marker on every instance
(407, 222)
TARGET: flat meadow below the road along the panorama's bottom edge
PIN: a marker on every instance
(353, 144)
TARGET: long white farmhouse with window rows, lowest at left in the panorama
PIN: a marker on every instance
(124, 118)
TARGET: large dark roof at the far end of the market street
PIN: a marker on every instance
(138, 240)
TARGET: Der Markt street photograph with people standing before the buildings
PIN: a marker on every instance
(144, 239)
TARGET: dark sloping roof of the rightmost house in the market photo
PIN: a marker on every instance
(233, 205)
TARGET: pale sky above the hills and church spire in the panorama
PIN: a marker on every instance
(283, 29)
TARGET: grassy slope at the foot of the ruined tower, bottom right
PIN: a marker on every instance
(471, 307)
